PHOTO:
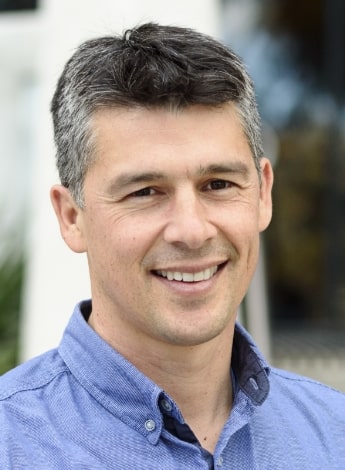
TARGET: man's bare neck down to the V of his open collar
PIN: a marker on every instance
(200, 383)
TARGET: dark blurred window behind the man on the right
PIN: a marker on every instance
(297, 59)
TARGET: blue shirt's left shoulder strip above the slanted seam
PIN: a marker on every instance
(32, 375)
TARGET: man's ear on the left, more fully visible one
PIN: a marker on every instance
(70, 217)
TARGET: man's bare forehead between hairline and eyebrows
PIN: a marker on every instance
(196, 134)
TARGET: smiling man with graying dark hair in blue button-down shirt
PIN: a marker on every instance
(165, 187)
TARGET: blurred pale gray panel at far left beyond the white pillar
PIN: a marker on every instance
(17, 88)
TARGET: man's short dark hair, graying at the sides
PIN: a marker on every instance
(149, 66)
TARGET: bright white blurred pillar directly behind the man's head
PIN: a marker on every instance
(57, 278)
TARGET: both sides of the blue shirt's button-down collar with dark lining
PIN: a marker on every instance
(131, 396)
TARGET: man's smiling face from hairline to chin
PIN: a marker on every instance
(173, 211)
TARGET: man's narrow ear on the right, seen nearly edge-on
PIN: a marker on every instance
(265, 205)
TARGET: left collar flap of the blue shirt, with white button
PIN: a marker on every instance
(112, 380)
